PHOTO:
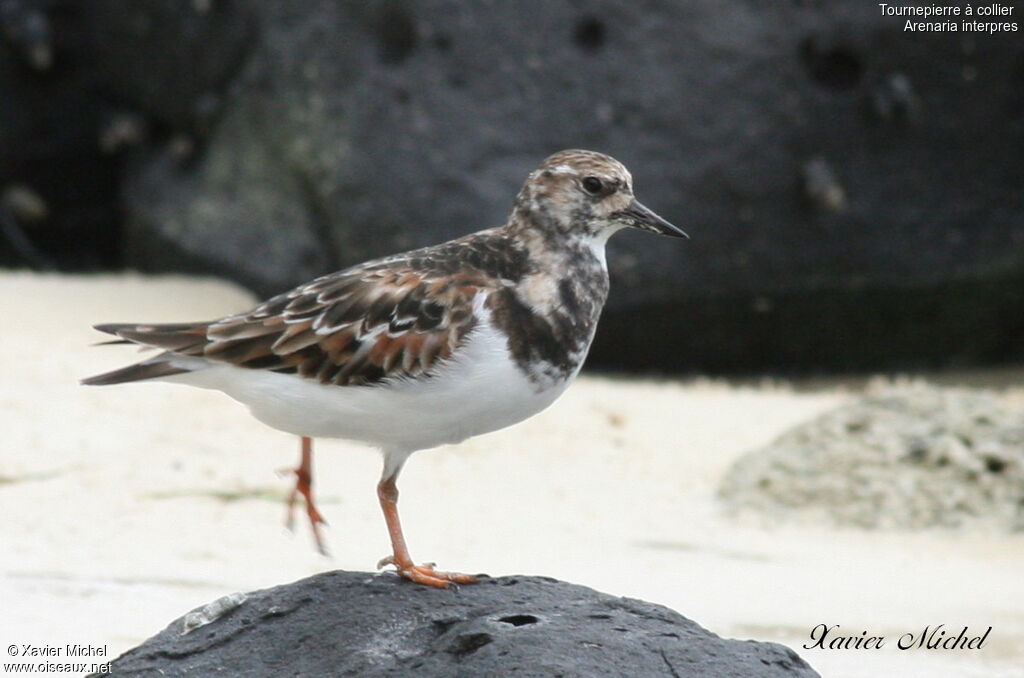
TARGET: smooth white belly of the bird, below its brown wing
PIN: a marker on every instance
(481, 390)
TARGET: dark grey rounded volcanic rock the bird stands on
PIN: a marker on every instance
(356, 624)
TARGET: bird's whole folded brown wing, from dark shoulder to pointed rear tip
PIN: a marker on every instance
(394, 318)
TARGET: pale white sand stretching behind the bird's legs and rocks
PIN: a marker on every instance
(126, 506)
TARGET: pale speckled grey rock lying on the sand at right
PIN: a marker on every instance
(924, 457)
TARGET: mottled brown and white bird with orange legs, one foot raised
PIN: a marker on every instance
(423, 349)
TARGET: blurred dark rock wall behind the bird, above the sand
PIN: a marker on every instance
(855, 193)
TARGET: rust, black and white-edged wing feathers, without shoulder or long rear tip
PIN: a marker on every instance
(355, 328)
